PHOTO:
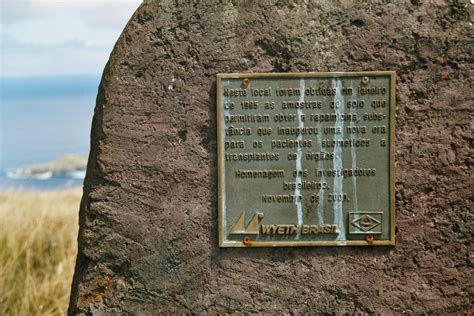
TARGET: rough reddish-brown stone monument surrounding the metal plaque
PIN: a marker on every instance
(149, 226)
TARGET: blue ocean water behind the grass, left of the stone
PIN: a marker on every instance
(42, 119)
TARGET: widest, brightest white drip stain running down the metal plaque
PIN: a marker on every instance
(337, 162)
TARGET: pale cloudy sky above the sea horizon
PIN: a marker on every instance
(59, 37)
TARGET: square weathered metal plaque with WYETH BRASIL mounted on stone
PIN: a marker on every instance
(306, 159)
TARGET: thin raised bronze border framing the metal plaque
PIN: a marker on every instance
(220, 152)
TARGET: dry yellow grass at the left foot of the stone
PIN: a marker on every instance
(38, 232)
